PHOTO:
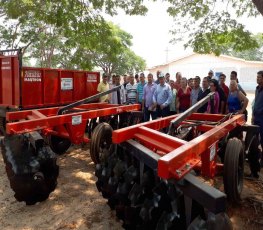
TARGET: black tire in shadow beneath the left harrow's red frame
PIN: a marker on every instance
(58, 144)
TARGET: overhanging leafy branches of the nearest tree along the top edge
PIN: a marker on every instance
(210, 25)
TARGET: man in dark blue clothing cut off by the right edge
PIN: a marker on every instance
(257, 113)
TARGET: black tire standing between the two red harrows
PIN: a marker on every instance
(101, 139)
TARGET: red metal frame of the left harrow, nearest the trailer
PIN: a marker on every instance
(49, 122)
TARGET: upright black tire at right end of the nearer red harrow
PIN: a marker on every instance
(234, 170)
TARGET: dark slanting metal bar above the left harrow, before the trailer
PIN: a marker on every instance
(86, 100)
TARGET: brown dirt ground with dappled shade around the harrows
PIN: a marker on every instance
(76, 203)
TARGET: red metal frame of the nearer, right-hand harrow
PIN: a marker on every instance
(179, 157)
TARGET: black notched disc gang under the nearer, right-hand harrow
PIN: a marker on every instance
(144, 201)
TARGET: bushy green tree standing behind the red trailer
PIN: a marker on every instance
(99, 44)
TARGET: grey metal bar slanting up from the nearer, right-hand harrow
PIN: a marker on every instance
(189, 111)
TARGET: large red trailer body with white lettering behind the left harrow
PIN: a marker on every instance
(30, 87)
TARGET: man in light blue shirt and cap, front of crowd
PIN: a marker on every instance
(162, 97)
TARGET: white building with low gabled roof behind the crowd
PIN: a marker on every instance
(199, 64)
